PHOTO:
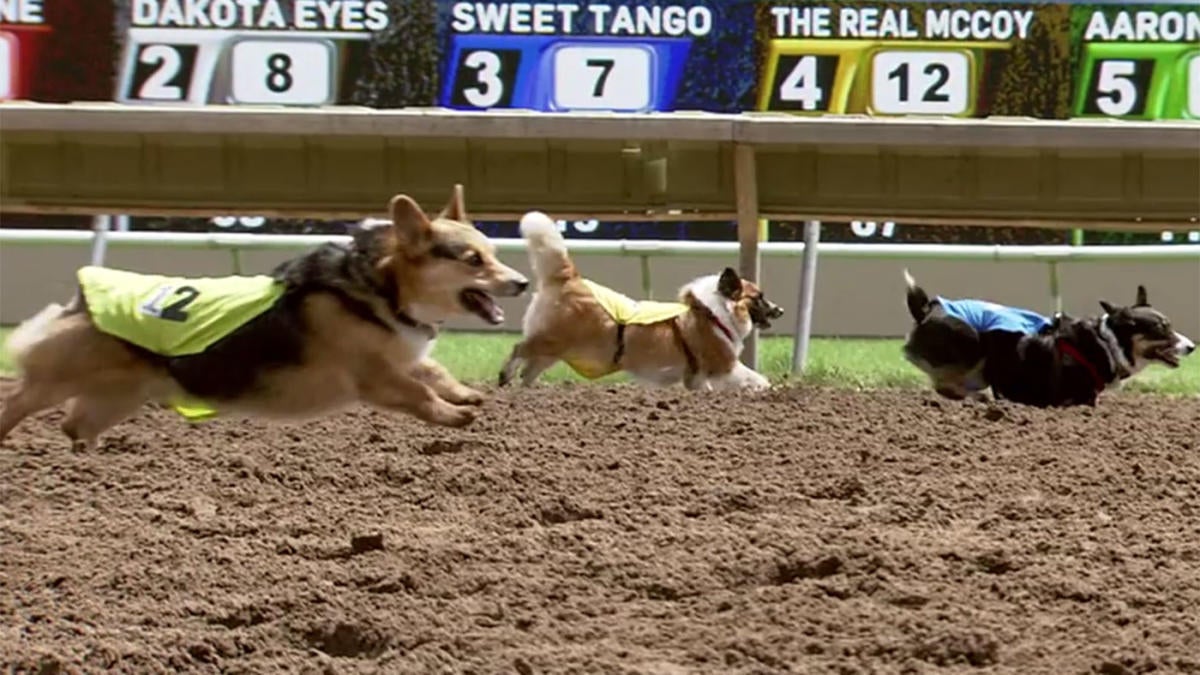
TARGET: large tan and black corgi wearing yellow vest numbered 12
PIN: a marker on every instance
(341, 325)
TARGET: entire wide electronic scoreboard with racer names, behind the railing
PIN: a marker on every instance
(1046, 59)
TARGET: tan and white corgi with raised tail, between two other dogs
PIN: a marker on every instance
(599, 332)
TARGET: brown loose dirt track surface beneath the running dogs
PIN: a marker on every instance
(615, 530)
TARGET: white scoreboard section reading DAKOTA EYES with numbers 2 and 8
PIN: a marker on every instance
(266, 53)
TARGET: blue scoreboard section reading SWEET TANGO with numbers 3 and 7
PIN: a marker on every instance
(554, 57)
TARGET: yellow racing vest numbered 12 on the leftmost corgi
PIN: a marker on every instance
(175, 316)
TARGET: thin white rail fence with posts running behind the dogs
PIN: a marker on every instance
(643, 249)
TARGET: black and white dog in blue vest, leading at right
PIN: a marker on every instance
(969, 347)
